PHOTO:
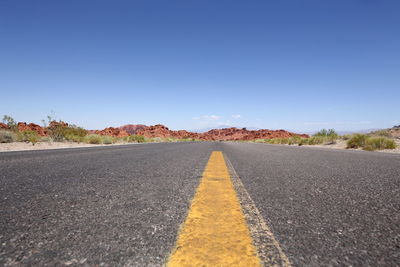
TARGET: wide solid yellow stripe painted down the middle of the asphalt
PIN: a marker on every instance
(215, 232)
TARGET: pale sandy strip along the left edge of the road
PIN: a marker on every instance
(20, 146)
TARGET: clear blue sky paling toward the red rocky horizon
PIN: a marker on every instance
(299, 65)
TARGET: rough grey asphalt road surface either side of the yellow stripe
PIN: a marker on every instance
(124, 205)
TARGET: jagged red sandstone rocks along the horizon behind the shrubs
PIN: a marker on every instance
(227, 134)
